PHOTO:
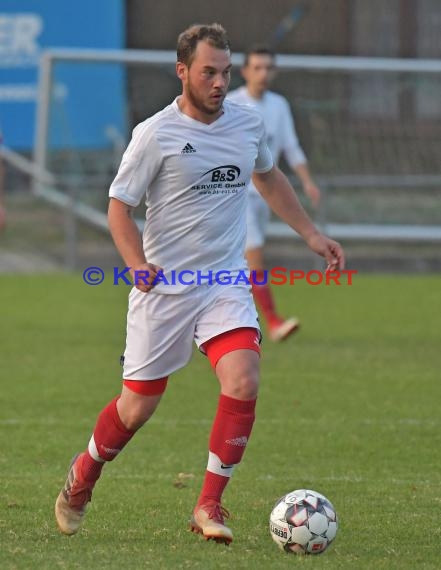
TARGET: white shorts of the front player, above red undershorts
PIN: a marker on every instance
(161, 328)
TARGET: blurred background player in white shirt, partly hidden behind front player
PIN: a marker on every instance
(259, 71)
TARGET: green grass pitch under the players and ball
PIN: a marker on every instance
(349, 407)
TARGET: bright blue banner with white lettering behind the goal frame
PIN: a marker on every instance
(86, 99)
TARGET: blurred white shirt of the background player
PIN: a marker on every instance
(279, 125)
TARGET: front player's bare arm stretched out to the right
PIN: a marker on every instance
(276, 190)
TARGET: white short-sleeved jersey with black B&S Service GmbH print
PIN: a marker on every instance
(194, 178)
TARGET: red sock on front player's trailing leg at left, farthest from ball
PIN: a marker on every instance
(108, 439)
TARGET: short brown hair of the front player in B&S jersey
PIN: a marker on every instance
(188, 40)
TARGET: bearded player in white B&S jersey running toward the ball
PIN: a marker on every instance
(191, 163)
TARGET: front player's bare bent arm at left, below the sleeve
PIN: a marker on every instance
(127, 239)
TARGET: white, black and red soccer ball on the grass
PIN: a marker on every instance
(303, 522)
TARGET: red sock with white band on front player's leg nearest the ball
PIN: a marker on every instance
(229, 436)
